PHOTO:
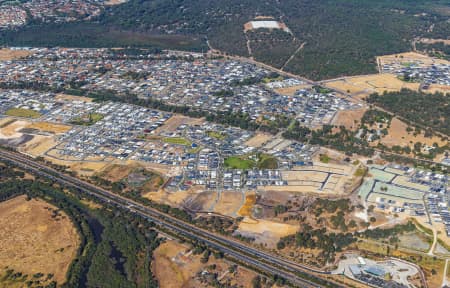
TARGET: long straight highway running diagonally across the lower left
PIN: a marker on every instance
(264, 261)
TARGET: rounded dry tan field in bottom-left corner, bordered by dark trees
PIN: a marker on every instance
(31, 241)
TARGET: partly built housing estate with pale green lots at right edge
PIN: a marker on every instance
(402, 189)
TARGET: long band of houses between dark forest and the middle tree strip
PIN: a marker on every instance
(212, 85)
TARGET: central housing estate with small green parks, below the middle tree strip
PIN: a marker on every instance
(110, 130)
